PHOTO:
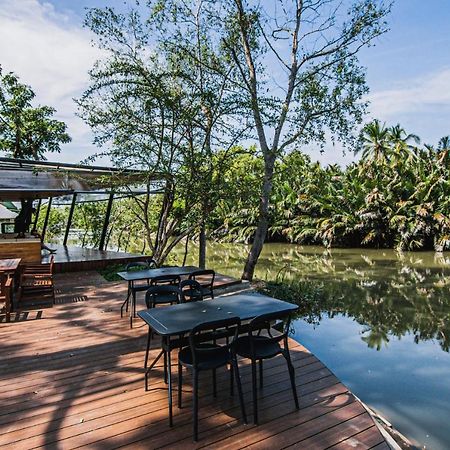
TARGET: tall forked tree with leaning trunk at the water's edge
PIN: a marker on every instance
(299, 69)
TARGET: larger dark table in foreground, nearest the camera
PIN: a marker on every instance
(177, 320)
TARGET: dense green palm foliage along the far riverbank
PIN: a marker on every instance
(397, 195)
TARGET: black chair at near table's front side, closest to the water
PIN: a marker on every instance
(257, 347)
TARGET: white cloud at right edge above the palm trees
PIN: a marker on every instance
(413, 96)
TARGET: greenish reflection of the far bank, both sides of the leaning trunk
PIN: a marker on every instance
(390, 294)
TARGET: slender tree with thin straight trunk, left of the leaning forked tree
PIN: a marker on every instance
(184, 33)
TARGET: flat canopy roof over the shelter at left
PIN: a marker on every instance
(22, 179)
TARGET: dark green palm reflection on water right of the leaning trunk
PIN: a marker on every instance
(390, 298)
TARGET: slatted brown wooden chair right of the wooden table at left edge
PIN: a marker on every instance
(36, 282)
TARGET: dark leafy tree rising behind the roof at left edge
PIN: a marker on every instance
(25, 131)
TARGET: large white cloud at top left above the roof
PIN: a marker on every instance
(53, 55)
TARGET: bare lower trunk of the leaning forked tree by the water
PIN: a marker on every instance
(263, 223)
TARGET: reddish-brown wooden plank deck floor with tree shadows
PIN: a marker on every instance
(71, 376)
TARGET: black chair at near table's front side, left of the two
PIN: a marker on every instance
(200, 356)
